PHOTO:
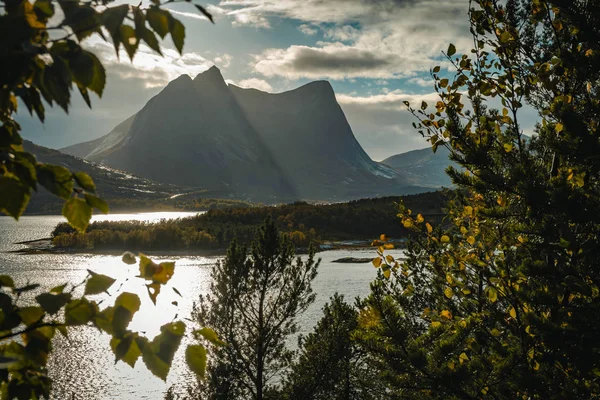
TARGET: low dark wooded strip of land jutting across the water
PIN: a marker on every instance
(304, 223)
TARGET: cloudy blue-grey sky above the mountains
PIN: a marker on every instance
(375, 53)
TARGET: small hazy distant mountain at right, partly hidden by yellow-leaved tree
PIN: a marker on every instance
(426, 167)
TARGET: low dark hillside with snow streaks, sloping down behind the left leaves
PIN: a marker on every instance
(110, 183)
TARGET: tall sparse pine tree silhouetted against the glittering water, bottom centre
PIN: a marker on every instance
(253, 303)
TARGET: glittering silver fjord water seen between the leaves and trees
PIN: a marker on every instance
(82, 365)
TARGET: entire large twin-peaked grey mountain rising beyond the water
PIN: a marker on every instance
(246, 143)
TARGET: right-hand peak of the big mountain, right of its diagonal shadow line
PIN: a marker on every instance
(308, 134)
